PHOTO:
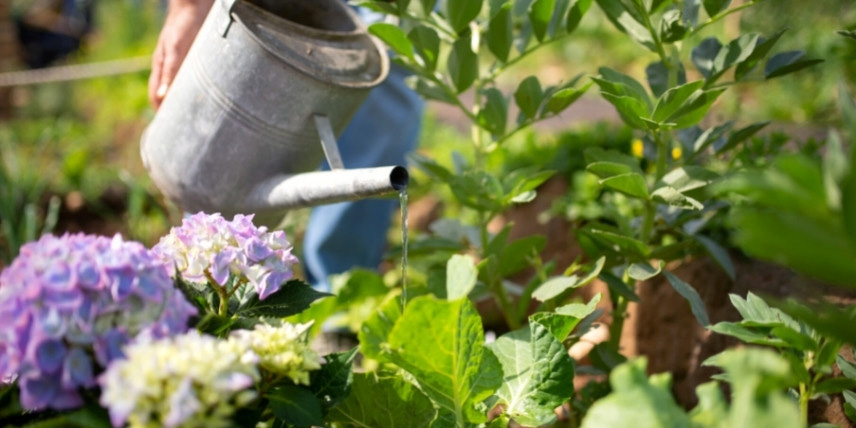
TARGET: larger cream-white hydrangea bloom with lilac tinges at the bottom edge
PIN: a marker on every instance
(189, 380)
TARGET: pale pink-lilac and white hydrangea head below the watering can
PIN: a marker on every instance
(210, 247)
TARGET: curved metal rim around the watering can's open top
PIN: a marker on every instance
(359, 31)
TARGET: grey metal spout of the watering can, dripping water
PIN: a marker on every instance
(285, 192)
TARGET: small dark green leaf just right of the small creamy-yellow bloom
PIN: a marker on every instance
(332, 383)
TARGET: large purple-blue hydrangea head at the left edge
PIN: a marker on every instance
(70, 303)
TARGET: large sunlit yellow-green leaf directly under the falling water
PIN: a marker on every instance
(448, 358)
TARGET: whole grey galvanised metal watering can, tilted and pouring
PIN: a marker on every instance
(256, 105)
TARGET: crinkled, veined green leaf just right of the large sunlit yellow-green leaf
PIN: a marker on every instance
(537, 374)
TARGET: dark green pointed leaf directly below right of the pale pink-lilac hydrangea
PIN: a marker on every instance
(293, 297)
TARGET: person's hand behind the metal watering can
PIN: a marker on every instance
(183, 20)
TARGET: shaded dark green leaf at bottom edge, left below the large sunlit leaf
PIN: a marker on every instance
(383, 402)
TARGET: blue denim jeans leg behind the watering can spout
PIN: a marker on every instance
(353, 234)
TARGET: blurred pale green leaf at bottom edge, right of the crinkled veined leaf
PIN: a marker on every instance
(637, 401)
